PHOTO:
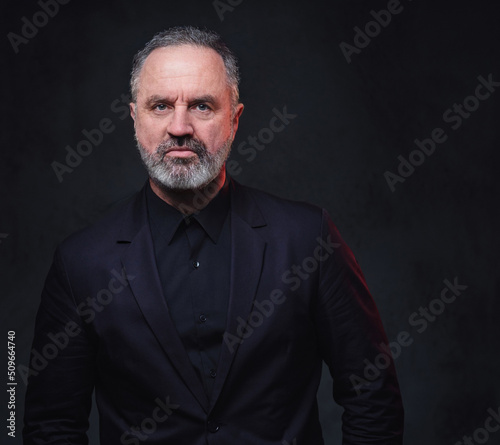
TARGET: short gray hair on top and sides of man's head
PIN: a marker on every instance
(188, 35)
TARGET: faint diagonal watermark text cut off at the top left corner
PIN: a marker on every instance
(30, 28)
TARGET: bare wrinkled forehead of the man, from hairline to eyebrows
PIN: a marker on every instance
(183, 69)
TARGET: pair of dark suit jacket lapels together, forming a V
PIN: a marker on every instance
(247, 259)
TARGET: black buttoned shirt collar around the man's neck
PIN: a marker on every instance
(168, 219)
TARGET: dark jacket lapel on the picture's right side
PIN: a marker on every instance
(247, 258)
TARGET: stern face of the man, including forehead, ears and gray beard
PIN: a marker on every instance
(184, 117)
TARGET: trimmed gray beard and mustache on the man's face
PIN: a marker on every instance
(180, 174)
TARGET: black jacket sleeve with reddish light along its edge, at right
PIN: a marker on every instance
(354, 346)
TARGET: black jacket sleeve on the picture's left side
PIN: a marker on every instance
(61, 371)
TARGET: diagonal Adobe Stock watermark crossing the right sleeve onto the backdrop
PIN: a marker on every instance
(420, 320)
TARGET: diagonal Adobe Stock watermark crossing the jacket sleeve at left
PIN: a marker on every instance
(59, 341)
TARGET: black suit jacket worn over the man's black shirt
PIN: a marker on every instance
(297, 297)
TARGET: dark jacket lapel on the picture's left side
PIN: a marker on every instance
(139, 261)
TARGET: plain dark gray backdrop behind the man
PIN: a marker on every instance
(353, 121)
